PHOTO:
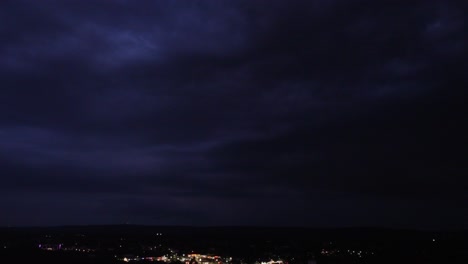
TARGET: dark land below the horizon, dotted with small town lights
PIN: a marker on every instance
(226, 245)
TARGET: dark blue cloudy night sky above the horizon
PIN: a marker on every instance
(294, 113)
